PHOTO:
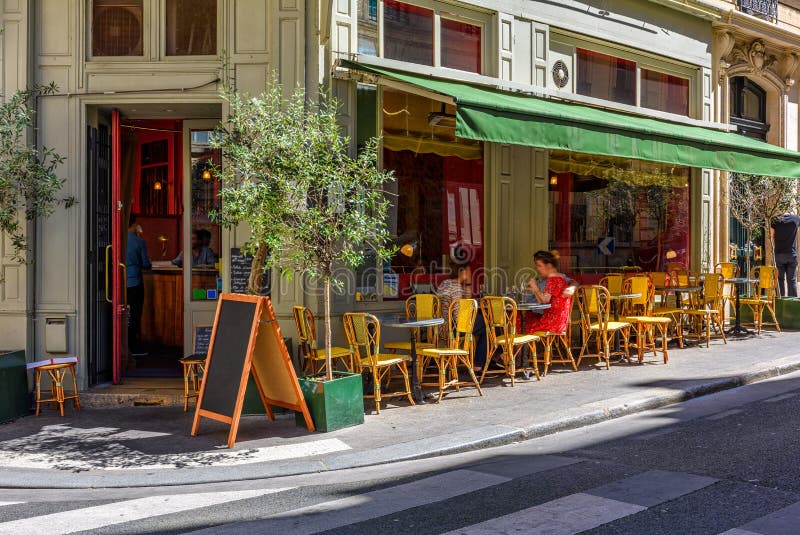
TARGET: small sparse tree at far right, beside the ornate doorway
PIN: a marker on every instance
(755, 200)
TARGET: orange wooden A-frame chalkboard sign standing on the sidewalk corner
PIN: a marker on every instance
(246, 339)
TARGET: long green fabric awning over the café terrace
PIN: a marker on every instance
(502, 117)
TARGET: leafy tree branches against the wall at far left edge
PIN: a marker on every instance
(29, 185)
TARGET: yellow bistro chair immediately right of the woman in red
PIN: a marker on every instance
(594, 303)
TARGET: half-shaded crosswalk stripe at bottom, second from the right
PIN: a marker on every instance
(567, 515)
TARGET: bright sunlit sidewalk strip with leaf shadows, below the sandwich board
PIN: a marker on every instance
(63, 447)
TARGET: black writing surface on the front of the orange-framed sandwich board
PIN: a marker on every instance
(223, 374)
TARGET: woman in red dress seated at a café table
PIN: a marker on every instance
(556, 318)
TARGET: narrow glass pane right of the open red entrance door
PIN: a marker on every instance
(204, 249)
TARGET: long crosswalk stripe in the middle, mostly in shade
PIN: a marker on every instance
(370, 505)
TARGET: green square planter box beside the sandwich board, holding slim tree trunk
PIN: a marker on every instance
(333, 404)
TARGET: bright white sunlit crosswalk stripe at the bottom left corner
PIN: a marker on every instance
(92, 518)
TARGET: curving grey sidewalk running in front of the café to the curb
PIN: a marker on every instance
(151, 446)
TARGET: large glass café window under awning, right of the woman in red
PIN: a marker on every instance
(607, 213)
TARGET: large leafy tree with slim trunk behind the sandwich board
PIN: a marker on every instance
(309, 204)
